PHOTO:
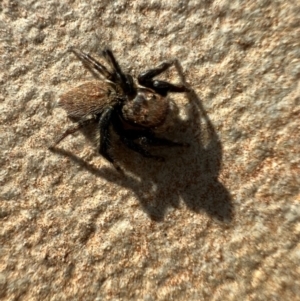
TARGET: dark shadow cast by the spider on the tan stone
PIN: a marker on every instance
(194, 179)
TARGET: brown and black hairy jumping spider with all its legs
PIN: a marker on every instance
(134, 111)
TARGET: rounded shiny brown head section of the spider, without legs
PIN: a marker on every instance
(147, 109)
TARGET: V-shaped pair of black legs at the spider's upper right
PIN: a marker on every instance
(161, 87)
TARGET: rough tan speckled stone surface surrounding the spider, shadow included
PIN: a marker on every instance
(218, 220)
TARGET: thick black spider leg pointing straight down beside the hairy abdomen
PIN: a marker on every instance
(104, 123)
